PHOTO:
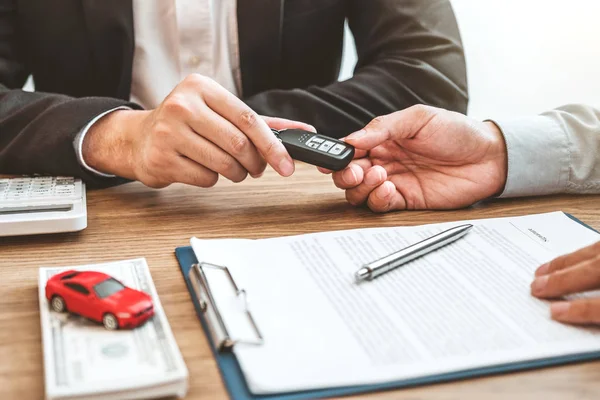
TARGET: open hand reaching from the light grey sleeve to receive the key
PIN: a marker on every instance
(424, 158)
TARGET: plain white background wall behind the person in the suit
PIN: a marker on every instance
(523, 56)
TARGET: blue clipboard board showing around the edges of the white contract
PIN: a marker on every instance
(236, 385)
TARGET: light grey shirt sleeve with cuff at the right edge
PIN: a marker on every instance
(555, 152)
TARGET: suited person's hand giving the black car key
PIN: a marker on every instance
(199, 132)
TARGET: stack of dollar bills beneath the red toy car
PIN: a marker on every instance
(82, 359)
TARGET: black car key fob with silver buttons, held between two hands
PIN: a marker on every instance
(316, 149)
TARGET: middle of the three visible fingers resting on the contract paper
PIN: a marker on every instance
(579, 278)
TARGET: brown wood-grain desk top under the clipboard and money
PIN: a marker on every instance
(134, 221)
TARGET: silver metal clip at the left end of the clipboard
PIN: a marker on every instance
(213, 317)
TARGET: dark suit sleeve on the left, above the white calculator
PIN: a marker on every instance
(37, 130)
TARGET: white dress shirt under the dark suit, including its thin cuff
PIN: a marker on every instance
(173, 39)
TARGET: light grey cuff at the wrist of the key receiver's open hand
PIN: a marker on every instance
(538, 156)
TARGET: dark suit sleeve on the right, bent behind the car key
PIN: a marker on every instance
(409, 52)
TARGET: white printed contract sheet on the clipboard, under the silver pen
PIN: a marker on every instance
(463, 307)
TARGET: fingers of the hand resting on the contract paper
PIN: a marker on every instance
(570, 274)
